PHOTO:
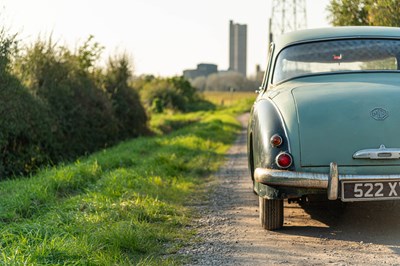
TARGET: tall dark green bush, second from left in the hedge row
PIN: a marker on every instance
(83, 116)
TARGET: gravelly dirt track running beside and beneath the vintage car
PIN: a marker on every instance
(317, 234)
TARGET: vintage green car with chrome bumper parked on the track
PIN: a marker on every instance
(327, 119)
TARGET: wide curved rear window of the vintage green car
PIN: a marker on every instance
(337, 56)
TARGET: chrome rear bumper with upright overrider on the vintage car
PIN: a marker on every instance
(329, 181)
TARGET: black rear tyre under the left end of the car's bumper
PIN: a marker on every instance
(271, 213)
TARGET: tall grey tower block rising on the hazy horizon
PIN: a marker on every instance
(237, 47)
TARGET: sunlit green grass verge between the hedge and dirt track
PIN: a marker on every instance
(121, 206)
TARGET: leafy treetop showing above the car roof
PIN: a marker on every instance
(364, 12)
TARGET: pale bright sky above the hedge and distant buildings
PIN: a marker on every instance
(163, 37)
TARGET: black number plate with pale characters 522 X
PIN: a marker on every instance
(370, 190)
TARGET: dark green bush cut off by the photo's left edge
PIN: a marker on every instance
(25, 124)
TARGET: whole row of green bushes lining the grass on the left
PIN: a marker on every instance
(57, 104)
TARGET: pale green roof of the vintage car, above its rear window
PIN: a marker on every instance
(335, 33)
